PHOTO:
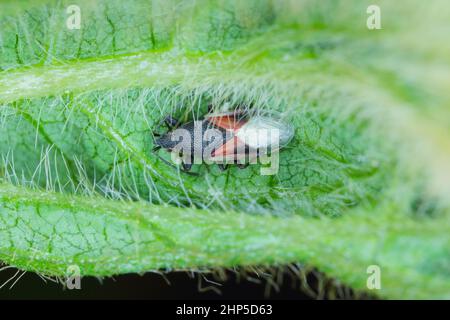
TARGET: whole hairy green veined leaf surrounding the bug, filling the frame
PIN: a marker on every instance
(364, 182)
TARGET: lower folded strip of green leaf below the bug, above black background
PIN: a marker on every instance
(48, 232)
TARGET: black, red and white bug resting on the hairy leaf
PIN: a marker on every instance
(237, 138)
